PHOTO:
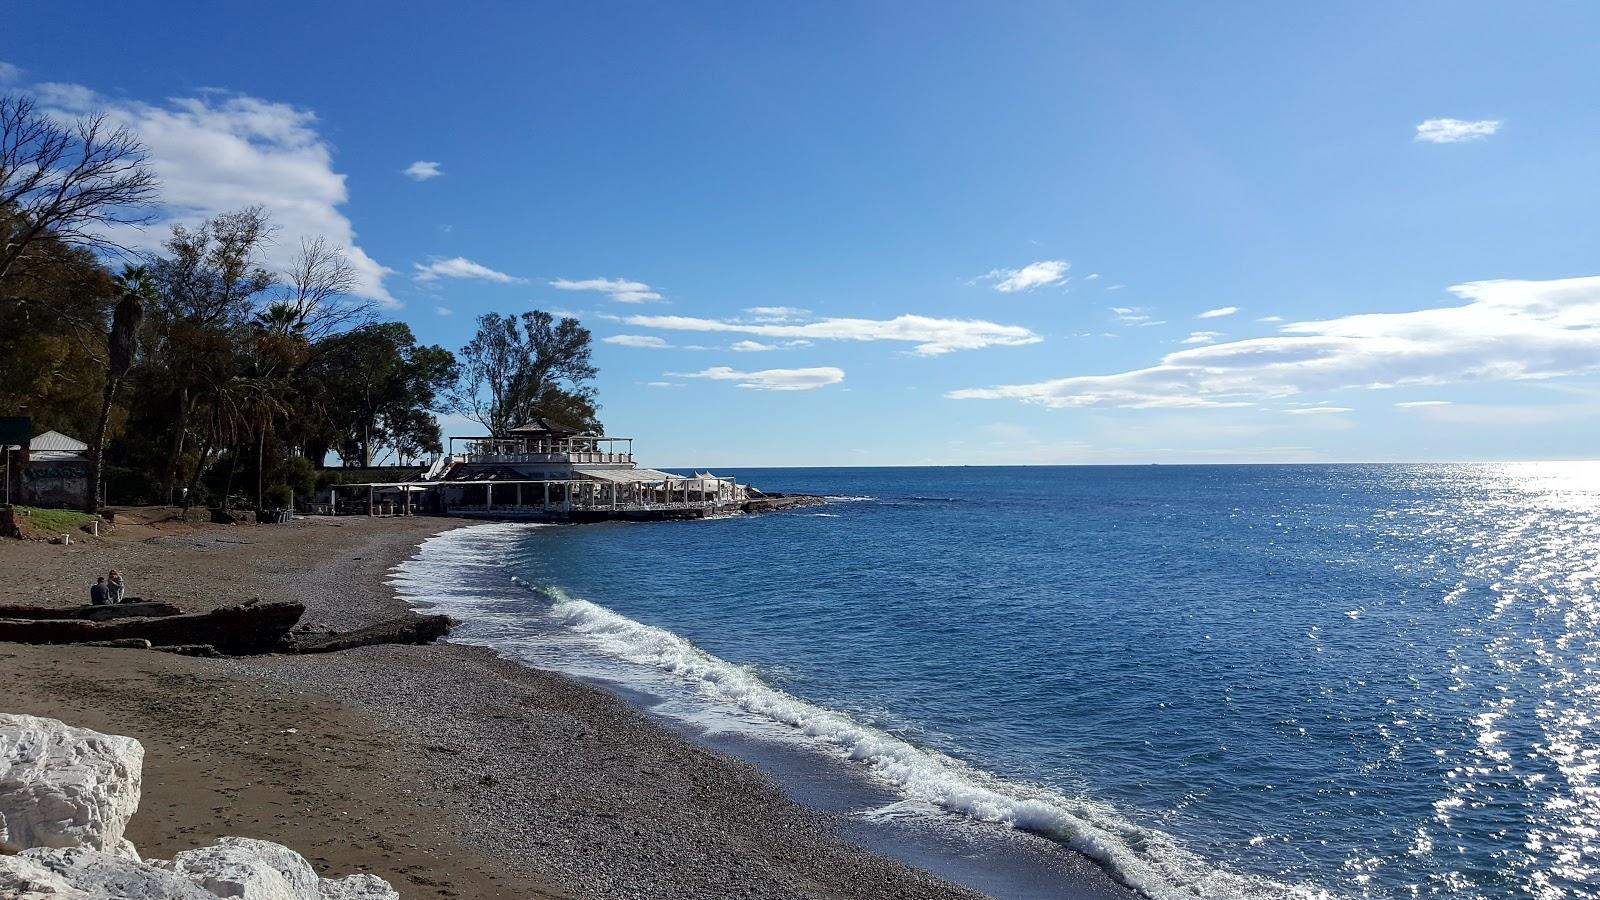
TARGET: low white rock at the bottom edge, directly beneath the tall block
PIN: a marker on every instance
(78, 874)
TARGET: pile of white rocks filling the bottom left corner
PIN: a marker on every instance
(66, 797)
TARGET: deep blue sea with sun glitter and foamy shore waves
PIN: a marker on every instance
(1374, 681)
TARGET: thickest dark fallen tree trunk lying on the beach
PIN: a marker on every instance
(234, 632)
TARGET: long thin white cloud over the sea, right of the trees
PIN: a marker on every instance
(934, 337)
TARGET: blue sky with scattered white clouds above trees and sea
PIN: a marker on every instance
(849, 235)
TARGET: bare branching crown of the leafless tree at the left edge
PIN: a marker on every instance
(66, 182)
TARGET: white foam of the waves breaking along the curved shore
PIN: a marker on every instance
(1145, 859)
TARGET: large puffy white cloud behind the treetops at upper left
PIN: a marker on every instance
(222, 153)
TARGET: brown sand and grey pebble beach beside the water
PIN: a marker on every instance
(444, 769)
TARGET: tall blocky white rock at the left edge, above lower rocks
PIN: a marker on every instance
(63, 787)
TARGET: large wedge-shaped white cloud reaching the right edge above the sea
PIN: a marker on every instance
(1506, 331)
